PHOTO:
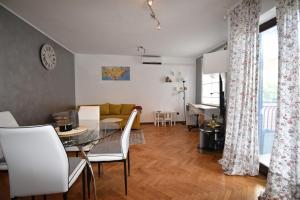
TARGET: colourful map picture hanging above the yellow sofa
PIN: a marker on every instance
(116, 73)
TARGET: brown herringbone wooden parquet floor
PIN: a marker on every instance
(168, 166)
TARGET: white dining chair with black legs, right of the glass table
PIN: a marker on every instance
(115, 151)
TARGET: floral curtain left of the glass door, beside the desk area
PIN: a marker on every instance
(240, 156)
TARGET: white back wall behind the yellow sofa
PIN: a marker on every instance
(146, 87)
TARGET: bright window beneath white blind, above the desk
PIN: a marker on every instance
(211, 88)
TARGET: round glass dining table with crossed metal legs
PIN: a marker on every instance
(83, 138)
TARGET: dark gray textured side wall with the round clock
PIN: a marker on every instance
(27, 89)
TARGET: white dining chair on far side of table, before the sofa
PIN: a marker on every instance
(89, 116)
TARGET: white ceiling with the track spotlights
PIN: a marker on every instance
(188, 27)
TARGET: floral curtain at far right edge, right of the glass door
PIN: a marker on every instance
(284, 171)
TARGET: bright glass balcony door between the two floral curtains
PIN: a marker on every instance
(268, 73)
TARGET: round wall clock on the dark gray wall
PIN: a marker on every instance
(48, 57)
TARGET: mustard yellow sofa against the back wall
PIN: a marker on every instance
(122, 111)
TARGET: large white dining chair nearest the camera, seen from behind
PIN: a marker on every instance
(37, 162)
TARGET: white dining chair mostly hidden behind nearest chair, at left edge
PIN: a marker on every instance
(6, 120)
